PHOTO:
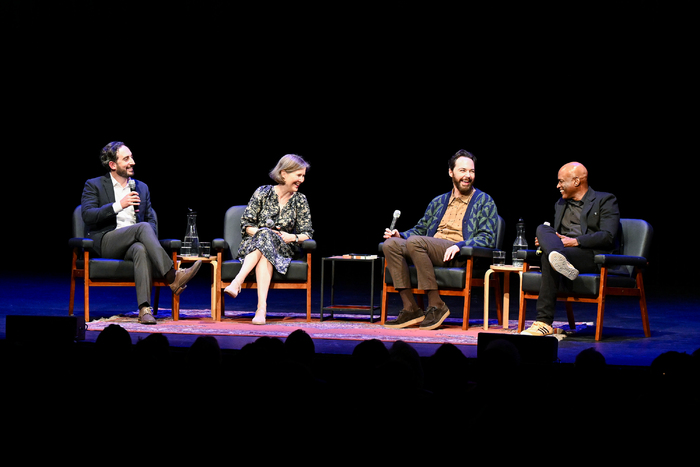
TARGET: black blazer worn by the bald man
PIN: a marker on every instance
(600, 221)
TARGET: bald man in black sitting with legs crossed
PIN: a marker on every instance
(585, 224)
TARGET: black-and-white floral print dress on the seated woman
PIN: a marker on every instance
(294, 217)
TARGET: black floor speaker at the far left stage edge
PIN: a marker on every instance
(44, 329)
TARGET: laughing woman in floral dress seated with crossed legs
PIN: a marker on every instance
(276, 218)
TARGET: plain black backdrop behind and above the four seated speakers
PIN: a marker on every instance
(209, 96)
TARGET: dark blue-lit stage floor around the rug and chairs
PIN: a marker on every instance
(675, 323)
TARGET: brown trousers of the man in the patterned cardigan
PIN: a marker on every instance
(424, 253)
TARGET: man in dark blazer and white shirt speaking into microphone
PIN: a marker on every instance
(122, 224)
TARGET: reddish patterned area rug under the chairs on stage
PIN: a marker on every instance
(341, 327)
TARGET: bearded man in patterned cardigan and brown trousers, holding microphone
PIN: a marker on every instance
(464, 216)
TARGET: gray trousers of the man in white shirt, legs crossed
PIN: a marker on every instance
(139, 243)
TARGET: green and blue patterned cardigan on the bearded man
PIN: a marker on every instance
(478, 226)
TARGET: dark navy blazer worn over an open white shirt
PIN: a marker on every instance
(97, 211)
